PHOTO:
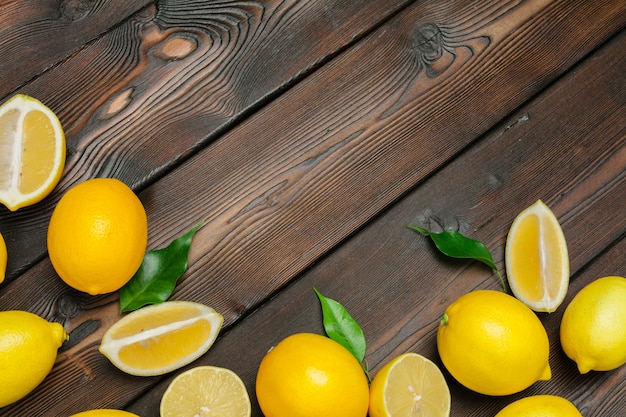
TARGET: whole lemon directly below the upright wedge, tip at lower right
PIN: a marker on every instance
(493, 344)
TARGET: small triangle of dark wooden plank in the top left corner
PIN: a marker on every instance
(37, 35)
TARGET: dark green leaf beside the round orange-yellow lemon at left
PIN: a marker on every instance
(156, 278)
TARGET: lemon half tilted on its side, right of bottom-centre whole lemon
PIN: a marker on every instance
(409, 386)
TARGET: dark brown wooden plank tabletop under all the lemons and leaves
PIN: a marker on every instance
(307, 135)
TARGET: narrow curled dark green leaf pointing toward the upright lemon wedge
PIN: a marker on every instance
(455, 245)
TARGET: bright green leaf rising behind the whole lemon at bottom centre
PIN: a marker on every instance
(341, 327)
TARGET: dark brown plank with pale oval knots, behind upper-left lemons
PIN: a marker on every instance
(141, 99)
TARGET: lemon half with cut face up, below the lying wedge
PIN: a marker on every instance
(206, 391)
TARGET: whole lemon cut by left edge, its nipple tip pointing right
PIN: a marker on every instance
(28, 349)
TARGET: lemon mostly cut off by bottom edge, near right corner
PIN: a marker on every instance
(540, 406)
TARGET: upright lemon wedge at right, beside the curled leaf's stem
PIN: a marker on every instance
(537, 264)
